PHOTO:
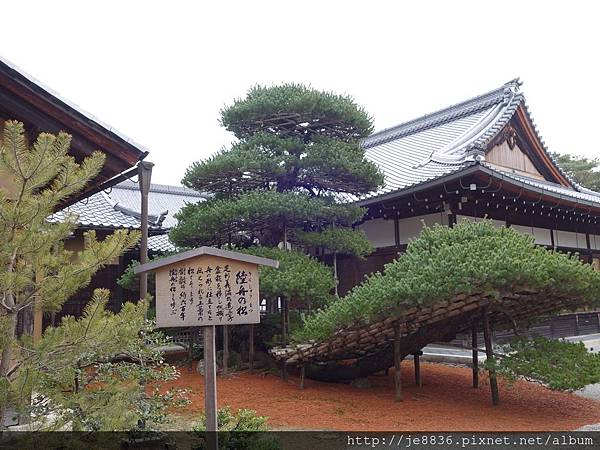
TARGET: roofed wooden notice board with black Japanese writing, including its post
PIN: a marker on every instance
(207, 287)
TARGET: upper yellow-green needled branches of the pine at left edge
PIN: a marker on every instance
(38, 271)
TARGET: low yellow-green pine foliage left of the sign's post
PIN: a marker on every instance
(99, 372)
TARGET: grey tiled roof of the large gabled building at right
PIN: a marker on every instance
(451, 140)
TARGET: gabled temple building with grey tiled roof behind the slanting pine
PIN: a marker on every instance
(480, 158)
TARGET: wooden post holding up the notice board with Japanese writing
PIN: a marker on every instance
(210, 387)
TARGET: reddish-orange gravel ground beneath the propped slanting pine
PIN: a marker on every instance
(446, 402)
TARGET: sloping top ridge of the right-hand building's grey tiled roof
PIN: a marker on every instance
(447, 114)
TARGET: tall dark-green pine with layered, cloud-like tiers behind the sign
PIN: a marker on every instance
(298, 156)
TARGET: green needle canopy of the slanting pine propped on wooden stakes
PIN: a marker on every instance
(443, 262)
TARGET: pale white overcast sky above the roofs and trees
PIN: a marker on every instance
(160, 72)
